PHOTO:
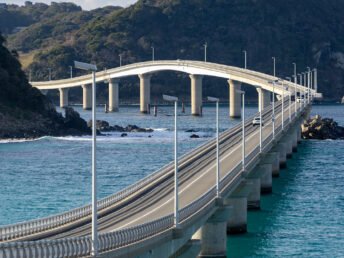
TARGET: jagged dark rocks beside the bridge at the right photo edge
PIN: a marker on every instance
(322, 129)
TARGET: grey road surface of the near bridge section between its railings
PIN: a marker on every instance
(196, 176)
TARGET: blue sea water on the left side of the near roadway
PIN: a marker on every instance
(53, 174)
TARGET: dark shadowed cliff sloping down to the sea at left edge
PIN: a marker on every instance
(24, 111)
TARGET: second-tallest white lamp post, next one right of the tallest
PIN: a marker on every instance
(176, 212)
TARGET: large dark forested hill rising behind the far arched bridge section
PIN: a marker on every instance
(309, 33)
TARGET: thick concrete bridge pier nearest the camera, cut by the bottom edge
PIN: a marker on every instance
(213, 233)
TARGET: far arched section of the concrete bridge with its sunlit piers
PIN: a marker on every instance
(196, 69)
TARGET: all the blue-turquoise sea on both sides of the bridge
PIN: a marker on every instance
(304, 216)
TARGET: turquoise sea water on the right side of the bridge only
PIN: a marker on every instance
(304, 215)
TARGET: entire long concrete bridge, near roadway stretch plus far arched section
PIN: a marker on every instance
(139, 220)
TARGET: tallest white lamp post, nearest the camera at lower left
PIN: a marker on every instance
(93, 68)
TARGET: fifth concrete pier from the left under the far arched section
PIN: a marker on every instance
(196, 94)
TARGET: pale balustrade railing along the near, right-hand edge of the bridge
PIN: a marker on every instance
(81, 246)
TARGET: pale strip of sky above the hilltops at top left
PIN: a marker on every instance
(85, 4)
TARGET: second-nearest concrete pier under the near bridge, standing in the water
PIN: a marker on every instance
(237, 222)
